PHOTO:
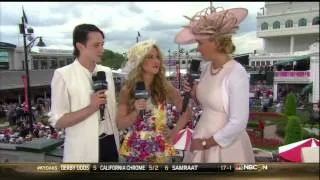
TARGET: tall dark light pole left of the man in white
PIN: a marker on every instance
(41, 43)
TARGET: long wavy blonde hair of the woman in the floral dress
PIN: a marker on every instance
(159, 86)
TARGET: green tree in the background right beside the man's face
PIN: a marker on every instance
(112, 59)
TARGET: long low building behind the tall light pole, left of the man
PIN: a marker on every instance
(41, 67)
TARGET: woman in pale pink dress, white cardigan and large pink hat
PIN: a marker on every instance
(223, 91)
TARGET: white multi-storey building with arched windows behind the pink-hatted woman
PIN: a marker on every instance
(290, 33)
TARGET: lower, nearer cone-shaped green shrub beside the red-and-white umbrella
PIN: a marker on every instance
(293, 130)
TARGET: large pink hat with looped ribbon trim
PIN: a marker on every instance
(210, 22)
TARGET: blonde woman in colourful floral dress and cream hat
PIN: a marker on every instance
(148, 138)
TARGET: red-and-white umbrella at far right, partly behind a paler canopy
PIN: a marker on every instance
(292, 152)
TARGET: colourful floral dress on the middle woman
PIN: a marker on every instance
(146, 142)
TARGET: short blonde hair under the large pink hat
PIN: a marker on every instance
(225, 44)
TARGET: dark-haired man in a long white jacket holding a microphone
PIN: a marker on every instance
(75, 105)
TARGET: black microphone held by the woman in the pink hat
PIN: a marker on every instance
(192, 75)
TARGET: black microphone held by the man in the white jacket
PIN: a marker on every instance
(100, 83)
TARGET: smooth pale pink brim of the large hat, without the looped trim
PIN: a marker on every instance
(185, 36)
